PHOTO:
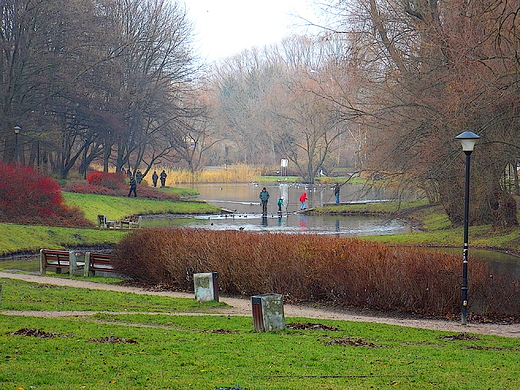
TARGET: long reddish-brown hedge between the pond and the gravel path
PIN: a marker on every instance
(312, 268)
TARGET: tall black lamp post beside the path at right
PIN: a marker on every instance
(467, 140)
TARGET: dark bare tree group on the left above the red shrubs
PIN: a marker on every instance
(95, 79)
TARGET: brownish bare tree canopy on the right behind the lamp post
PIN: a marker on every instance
(433, 69)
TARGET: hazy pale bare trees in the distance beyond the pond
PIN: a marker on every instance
(280, 103)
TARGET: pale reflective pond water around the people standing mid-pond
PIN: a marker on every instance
(243, 202)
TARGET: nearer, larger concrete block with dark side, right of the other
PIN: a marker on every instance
(268, 312)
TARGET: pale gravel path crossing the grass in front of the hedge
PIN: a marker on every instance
(242, 307)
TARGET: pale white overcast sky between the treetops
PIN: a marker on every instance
(226, 27)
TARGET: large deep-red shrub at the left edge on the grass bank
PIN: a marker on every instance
(28, 197)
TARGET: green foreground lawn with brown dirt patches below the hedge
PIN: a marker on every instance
(139, 350)
